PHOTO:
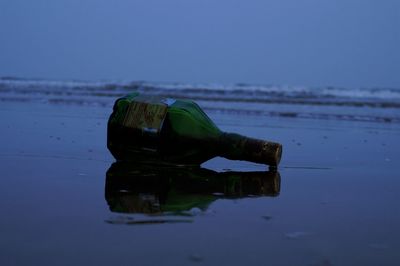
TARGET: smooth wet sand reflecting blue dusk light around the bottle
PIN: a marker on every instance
(337, 202)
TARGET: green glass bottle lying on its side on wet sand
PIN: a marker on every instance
(178, 132)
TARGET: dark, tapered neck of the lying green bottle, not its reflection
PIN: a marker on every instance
(237, 147)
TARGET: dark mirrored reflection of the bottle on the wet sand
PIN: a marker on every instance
(138, 188)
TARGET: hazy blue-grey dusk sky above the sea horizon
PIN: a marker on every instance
(348, 43)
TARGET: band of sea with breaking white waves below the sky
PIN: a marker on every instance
(358, 104)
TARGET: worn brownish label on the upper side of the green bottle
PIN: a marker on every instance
(146, 115)
